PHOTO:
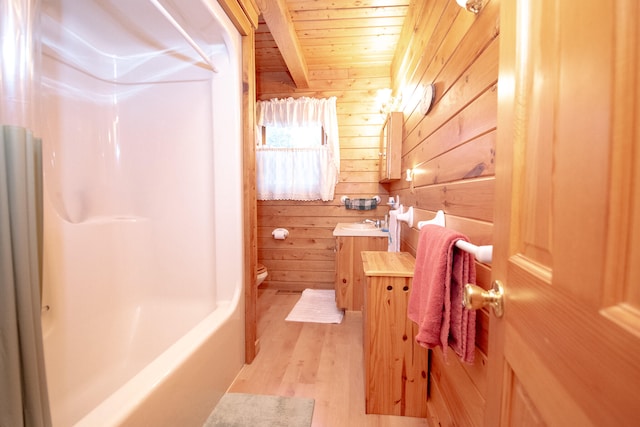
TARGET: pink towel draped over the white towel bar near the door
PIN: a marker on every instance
(435, 303)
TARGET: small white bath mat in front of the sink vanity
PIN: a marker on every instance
(316, 306)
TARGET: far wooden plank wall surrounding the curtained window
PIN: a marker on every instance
(306, 259)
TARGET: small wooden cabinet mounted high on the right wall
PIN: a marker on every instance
(391, 147)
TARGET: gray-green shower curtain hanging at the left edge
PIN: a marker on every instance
(23, 391)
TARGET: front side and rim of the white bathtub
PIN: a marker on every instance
(182, 385)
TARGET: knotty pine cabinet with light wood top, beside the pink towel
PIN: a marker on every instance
(396, 367)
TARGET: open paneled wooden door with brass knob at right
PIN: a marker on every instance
(567, 220)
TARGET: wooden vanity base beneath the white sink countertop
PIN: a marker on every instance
(349, 282)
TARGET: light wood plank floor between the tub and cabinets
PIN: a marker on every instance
(319, 361)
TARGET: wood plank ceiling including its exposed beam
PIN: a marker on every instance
(301, 36)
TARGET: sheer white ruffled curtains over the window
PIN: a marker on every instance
(298, 173)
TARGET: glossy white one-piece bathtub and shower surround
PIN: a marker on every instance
(143, 262)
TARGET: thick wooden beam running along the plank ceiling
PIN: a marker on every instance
(276, 15)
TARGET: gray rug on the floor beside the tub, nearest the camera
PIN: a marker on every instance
(244, 410)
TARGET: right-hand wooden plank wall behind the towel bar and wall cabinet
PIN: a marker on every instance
(451, 150)
